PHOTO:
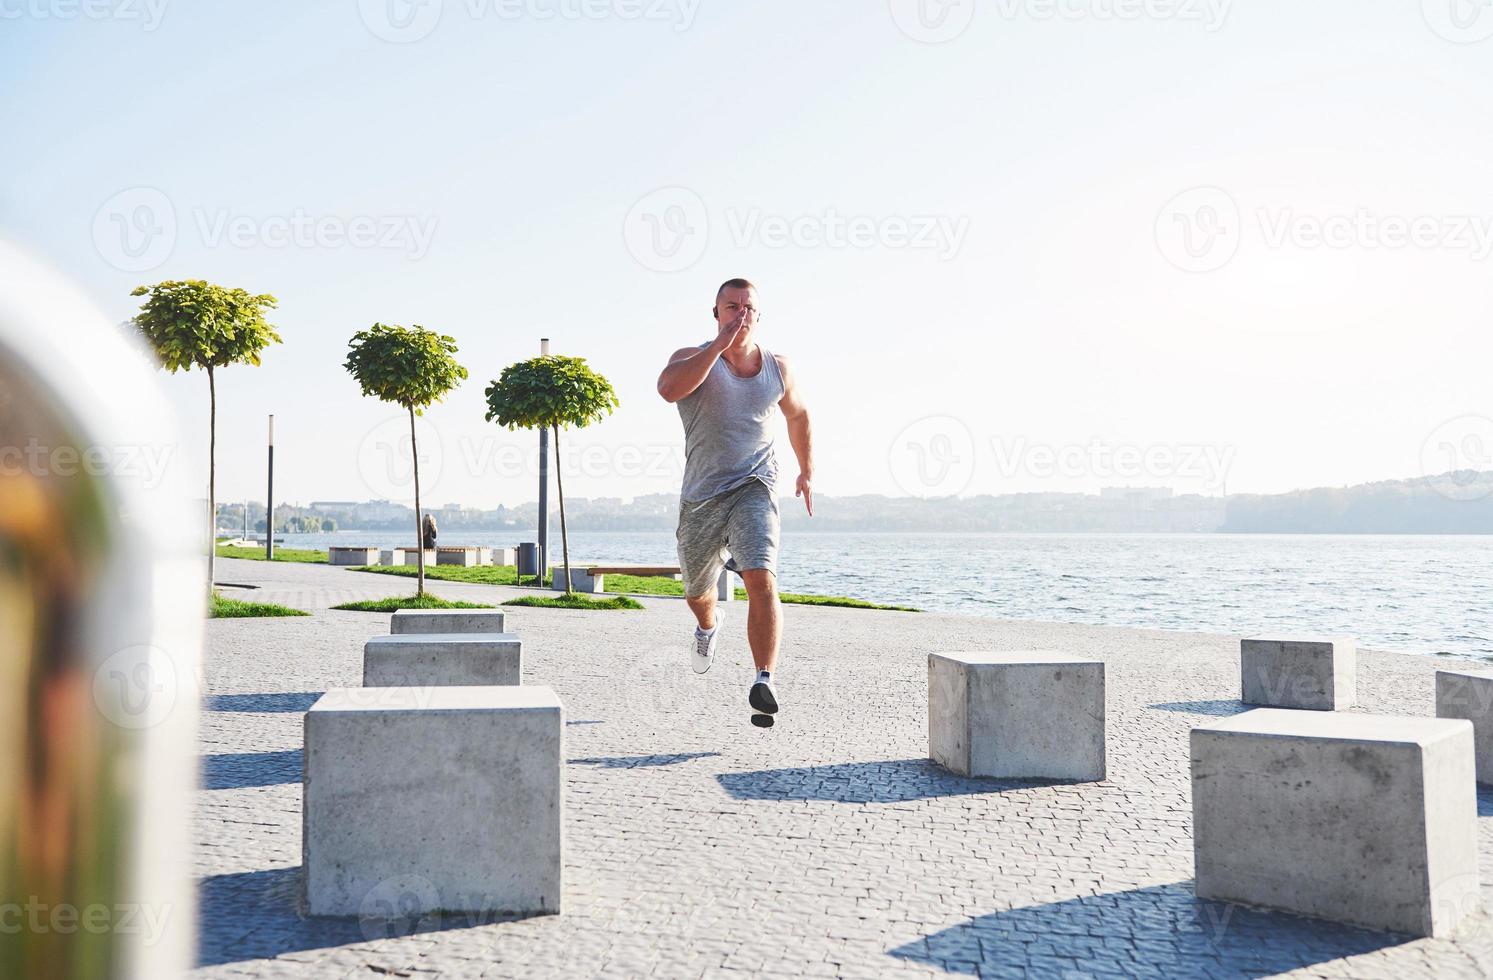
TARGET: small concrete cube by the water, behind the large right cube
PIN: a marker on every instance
(1315, 673)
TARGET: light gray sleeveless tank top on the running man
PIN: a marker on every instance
(729, 429)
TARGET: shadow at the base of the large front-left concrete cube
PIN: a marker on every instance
(256, 915)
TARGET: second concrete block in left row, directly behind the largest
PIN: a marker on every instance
(443, 660)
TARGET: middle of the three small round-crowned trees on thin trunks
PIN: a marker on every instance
(413, 368)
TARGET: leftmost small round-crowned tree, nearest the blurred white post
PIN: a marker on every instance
(199, 325)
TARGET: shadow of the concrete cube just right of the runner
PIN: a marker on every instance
(891, 782)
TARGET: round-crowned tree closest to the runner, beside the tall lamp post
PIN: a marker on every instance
(552, 392)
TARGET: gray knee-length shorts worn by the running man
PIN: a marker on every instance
(743, 522)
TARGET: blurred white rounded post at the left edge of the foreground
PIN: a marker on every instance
(101, 637)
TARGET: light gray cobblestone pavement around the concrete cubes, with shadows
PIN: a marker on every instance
(825, 846)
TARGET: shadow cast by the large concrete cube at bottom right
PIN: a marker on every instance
(1162, 931)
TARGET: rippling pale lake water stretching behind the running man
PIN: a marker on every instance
(1418, 594)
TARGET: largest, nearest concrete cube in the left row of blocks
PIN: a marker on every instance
(447, 798)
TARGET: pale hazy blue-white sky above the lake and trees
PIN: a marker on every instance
(1009, 246)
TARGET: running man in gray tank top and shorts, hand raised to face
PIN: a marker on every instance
(726, 392)
